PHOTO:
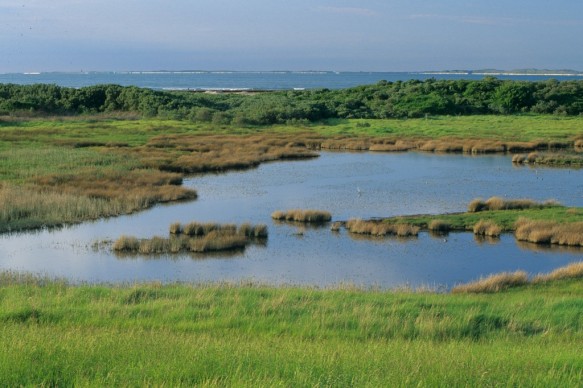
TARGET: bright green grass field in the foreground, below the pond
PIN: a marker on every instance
(55, 334)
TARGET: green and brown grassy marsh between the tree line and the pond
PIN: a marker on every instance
(67, 170)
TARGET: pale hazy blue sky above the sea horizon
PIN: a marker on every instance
(341, 35)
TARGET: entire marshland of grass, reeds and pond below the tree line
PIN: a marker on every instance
(106, 208)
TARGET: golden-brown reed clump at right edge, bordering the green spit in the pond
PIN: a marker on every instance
(549, 232)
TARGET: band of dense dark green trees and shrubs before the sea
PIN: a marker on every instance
(400, 99)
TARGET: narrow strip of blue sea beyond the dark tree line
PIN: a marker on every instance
(249, 80)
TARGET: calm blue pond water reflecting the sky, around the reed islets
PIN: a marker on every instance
(348, 185)
